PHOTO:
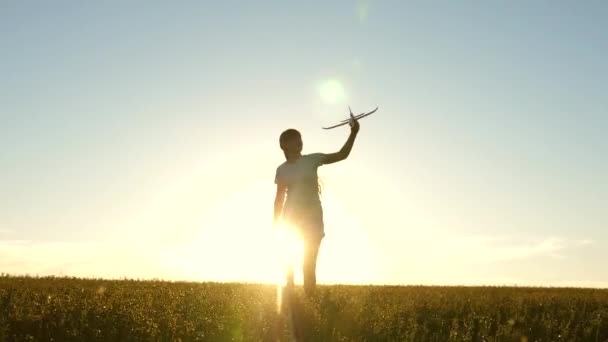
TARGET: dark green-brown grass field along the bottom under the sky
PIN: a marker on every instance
(70, 309)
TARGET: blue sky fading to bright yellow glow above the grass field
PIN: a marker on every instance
(140, 139)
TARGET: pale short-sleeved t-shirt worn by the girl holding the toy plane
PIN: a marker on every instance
(301, 180)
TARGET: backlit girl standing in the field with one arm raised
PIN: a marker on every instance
(297, 199)
